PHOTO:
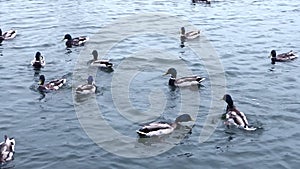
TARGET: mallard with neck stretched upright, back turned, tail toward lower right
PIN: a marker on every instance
(234, 116)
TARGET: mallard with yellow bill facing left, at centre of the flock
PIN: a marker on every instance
(183, 81)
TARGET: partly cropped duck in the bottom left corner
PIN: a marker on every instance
(7, 148)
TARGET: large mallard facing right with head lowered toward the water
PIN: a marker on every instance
(162, 128)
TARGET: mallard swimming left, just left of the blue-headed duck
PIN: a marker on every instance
(52, 85)
